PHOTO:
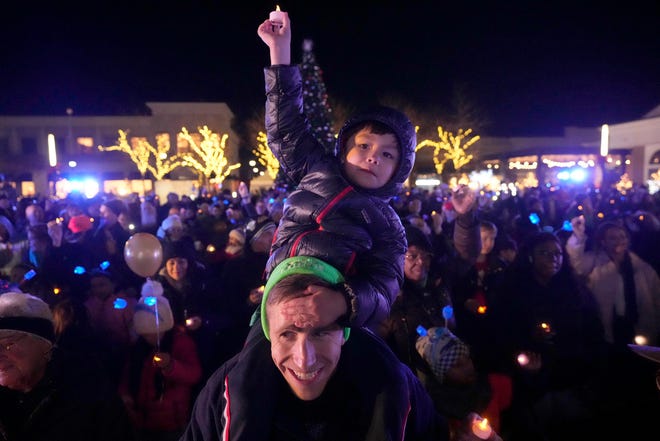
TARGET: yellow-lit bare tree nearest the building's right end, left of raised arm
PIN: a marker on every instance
(207, 156)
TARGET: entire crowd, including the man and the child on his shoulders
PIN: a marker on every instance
(338, 304)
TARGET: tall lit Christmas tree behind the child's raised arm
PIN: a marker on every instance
(315, 98)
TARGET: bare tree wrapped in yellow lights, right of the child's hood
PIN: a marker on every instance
(450, 147)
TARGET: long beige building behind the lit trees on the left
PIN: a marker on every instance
(24, 149)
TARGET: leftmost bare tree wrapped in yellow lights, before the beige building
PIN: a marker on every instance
(146, 157)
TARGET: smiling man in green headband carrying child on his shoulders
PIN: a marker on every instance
(312, 375)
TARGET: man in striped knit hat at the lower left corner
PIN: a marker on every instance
(45, 392)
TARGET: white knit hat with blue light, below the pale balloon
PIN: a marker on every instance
(153, 314)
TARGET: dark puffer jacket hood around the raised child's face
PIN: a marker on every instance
(405, 133)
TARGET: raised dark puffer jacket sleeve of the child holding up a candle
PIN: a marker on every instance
(287, 128)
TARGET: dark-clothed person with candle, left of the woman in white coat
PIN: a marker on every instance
(544, 331)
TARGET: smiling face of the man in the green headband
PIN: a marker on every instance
(306, 357)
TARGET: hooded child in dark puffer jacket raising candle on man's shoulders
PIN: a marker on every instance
(340, 210)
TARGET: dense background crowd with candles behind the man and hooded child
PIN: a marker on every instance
(535, 336)
